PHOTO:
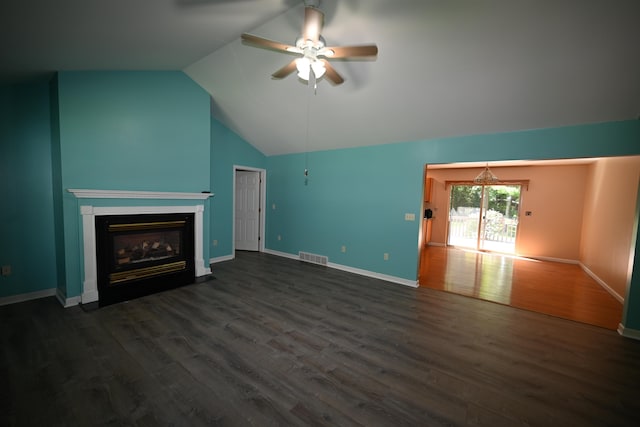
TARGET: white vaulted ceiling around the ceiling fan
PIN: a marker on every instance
(445, 68)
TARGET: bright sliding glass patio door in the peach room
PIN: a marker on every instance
(484, 217)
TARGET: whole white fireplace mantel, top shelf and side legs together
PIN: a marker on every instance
(89, 213)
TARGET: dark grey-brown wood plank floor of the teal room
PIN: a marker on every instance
(273, 341)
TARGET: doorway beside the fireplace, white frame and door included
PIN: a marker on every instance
(249, 185)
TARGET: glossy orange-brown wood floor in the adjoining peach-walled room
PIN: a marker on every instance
(554, 288)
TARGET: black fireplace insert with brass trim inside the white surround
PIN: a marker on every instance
(137, 255)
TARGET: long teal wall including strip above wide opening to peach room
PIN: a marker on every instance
(358, 197)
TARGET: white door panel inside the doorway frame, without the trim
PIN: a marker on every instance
(247, 220)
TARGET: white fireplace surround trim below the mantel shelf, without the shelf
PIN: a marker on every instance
(89, 213)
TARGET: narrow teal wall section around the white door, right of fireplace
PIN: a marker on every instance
(227, 150)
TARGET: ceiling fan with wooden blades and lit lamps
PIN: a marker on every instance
(314, 52)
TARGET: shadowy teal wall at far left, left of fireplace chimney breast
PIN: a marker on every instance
(26, 213)
